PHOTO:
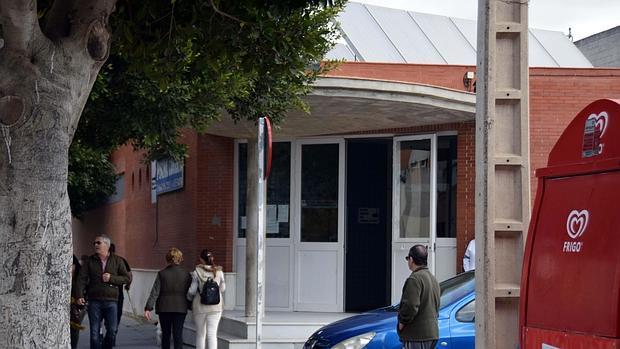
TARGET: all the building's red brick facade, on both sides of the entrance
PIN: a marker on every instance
(201, 214)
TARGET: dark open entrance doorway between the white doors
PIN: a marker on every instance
(368, 224)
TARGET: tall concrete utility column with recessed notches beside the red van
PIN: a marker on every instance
(502, 169)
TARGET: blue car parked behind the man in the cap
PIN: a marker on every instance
(377, 328)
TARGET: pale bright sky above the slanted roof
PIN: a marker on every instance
(585, 17)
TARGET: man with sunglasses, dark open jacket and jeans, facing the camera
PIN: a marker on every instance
(100, 276)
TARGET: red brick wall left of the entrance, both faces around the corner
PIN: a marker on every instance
(195, 217)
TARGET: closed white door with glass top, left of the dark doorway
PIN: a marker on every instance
(319, 225)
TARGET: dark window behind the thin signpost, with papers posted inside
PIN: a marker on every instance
(278, 191)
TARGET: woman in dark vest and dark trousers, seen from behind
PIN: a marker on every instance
(168, 295)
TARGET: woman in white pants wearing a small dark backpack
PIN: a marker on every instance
(206, 317)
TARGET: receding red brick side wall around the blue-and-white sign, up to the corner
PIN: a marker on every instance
(143, 231)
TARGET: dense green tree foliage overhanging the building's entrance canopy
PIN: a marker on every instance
(177, 64)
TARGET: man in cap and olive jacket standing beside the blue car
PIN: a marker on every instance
(419, 305)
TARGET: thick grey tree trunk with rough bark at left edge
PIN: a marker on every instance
(44, 86)
